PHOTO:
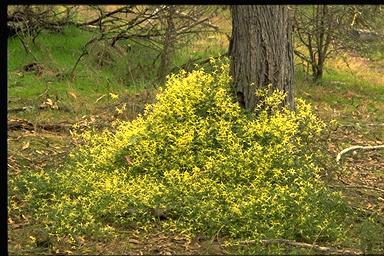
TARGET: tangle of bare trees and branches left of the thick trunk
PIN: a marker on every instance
(161, 28)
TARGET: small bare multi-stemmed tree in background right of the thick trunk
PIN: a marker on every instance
(322, 30)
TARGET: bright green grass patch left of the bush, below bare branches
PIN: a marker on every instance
(79, 94)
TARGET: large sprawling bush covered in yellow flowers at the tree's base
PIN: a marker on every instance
(195, 154)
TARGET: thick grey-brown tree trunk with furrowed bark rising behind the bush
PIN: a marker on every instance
(261, 52)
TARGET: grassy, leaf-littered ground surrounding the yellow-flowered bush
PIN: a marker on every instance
(353, 96)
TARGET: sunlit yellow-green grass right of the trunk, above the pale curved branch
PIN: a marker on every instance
(345, 95)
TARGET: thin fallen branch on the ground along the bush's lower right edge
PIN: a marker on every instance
(322, 249)
